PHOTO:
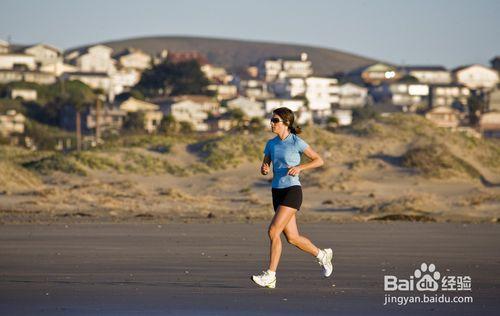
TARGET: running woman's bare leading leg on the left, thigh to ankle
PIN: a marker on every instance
(280, 220)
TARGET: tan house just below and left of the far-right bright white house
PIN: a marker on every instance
(447, 95)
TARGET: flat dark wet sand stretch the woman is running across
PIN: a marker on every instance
(204, 269)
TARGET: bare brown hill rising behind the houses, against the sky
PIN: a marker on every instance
(236, 53)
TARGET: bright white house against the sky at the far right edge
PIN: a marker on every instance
(476, 77)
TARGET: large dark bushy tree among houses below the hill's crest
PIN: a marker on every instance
(170, 79)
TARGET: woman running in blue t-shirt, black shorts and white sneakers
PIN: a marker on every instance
(284, 152)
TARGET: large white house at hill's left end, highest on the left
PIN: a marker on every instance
(94, 59)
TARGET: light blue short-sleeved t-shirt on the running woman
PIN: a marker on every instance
(284, 155)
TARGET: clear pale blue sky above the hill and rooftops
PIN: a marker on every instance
(446, 32)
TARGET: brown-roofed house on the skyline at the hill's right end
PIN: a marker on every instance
(374, 74)
